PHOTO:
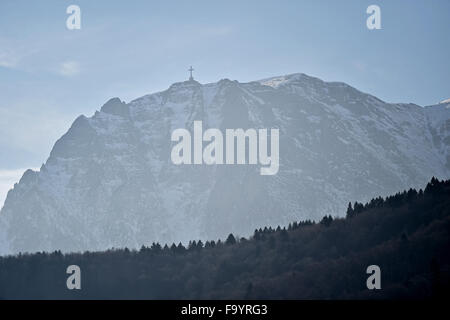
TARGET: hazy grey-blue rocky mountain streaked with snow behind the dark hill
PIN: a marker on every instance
(110, 182)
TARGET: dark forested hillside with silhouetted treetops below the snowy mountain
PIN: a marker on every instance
(407, 235)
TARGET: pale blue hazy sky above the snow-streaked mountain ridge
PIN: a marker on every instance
(49, 74)
